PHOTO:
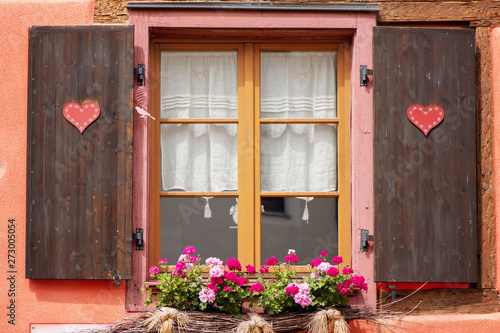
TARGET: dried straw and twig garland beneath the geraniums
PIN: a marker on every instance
(172, 320)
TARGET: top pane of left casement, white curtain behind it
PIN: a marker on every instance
(199, 84)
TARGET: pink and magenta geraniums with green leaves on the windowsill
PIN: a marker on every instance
(278, 288)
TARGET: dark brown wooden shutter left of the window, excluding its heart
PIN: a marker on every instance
(79, 186)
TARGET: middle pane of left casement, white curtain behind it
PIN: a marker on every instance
(199, 157)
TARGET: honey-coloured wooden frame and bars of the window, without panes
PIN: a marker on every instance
(249, 194)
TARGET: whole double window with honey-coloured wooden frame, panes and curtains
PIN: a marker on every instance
(241, 125)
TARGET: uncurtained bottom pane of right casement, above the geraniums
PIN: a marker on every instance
(281, 232)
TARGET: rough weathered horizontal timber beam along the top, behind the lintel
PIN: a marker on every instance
(477, 13)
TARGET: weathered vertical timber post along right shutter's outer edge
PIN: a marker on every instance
(486, 194)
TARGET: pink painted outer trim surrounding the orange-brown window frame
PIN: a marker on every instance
(361, 117)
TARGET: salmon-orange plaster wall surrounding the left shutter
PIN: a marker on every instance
(36, 301)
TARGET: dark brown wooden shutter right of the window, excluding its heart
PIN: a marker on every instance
(425, 186)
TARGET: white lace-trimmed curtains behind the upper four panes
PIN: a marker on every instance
(294, 157)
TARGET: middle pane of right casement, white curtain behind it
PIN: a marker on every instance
(299, 157)
